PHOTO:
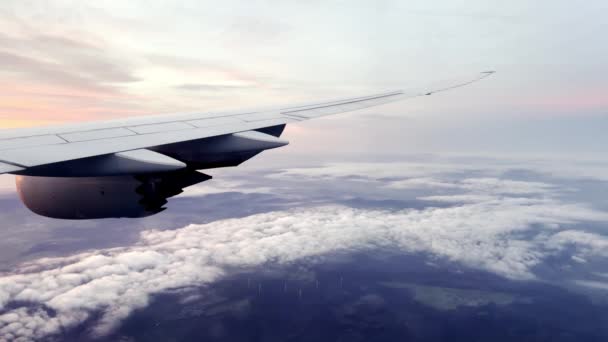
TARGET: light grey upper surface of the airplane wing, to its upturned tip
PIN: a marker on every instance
(21, 149)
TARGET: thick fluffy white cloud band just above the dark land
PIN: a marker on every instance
(483, 234)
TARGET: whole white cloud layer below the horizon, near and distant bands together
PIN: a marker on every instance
(485, 221)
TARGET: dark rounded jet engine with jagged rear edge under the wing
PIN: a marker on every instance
(103, 197)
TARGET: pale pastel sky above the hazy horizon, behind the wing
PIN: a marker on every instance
(70, 61)
